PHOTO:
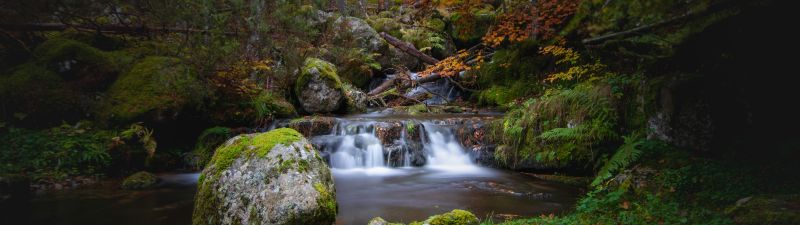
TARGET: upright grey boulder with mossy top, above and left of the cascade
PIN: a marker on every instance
(318, 87)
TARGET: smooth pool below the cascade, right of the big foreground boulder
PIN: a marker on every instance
(409, 194)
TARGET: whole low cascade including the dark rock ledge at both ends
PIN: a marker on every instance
(370, 141)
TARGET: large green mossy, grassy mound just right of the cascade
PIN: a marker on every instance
(566, 127)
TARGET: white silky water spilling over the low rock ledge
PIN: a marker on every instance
(381, 144)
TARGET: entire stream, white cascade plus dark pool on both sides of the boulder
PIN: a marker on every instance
(397, 167)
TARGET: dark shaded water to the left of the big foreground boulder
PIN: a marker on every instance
(169, 203)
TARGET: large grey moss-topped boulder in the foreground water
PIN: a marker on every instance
(275, 177)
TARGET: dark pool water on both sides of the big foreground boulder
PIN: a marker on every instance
(396, 194)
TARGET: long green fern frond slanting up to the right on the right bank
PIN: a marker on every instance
(625, 155)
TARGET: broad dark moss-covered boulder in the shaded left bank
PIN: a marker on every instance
(156, 88)
